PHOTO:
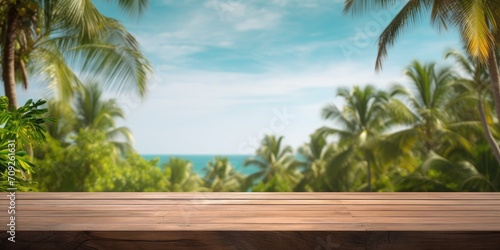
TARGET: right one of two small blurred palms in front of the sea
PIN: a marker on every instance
(221, 177)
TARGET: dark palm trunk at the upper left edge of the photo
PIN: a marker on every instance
(8, 64)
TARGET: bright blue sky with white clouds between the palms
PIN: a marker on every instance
(227, 72)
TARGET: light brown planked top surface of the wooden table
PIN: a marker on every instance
(254, 211)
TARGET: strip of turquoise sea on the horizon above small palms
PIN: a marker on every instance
(200, 161)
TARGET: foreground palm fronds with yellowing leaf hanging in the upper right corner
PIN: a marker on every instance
(477, 21)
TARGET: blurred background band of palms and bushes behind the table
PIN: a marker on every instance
(427, 134)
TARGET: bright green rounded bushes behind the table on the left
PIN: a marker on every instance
(89, 164)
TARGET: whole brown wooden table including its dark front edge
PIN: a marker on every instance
(253, 221)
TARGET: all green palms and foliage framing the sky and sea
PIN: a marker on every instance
(438, 131)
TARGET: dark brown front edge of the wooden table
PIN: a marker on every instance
(320, 240)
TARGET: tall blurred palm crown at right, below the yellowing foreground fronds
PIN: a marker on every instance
(431, 124)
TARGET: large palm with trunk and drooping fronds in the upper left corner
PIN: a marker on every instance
(53, 38)
